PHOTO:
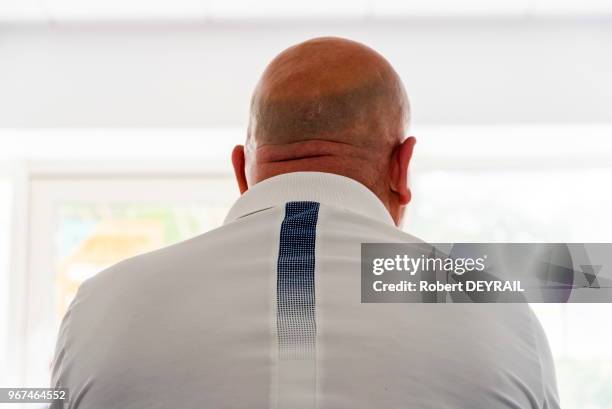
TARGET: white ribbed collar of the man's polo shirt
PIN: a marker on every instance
(326, 188)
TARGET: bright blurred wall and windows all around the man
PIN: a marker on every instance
(117, 118)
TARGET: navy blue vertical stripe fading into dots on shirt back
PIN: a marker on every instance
(295, 283)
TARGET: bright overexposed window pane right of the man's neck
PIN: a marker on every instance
(547, 205)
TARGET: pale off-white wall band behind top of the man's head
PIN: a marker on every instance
(456, 71)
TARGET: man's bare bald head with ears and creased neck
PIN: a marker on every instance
(330, 105)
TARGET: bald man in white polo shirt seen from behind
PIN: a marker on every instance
(265, 311)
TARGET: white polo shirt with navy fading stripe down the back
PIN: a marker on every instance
(265, 312)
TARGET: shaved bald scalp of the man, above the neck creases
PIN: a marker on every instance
(328, 89)
